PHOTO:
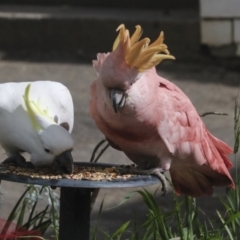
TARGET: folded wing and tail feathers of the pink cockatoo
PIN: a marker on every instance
(199, 159)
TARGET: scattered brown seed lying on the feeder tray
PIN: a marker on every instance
(80, 173)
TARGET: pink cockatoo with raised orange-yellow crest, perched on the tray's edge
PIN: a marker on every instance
(151, 120)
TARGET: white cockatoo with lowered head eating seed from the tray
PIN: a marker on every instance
(37, 118)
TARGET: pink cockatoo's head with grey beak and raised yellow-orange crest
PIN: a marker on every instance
(129, 60)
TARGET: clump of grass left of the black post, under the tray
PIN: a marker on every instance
(27, 220)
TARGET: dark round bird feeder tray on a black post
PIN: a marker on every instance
(75, 196)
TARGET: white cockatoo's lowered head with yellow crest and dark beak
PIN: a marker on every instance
(54, 142)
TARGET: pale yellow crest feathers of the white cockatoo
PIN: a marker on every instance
(34, 110)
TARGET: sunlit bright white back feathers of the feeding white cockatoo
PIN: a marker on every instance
(51, 96)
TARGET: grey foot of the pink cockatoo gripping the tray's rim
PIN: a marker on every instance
(158, 172)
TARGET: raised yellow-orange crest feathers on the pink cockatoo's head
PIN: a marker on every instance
(138, 53)
